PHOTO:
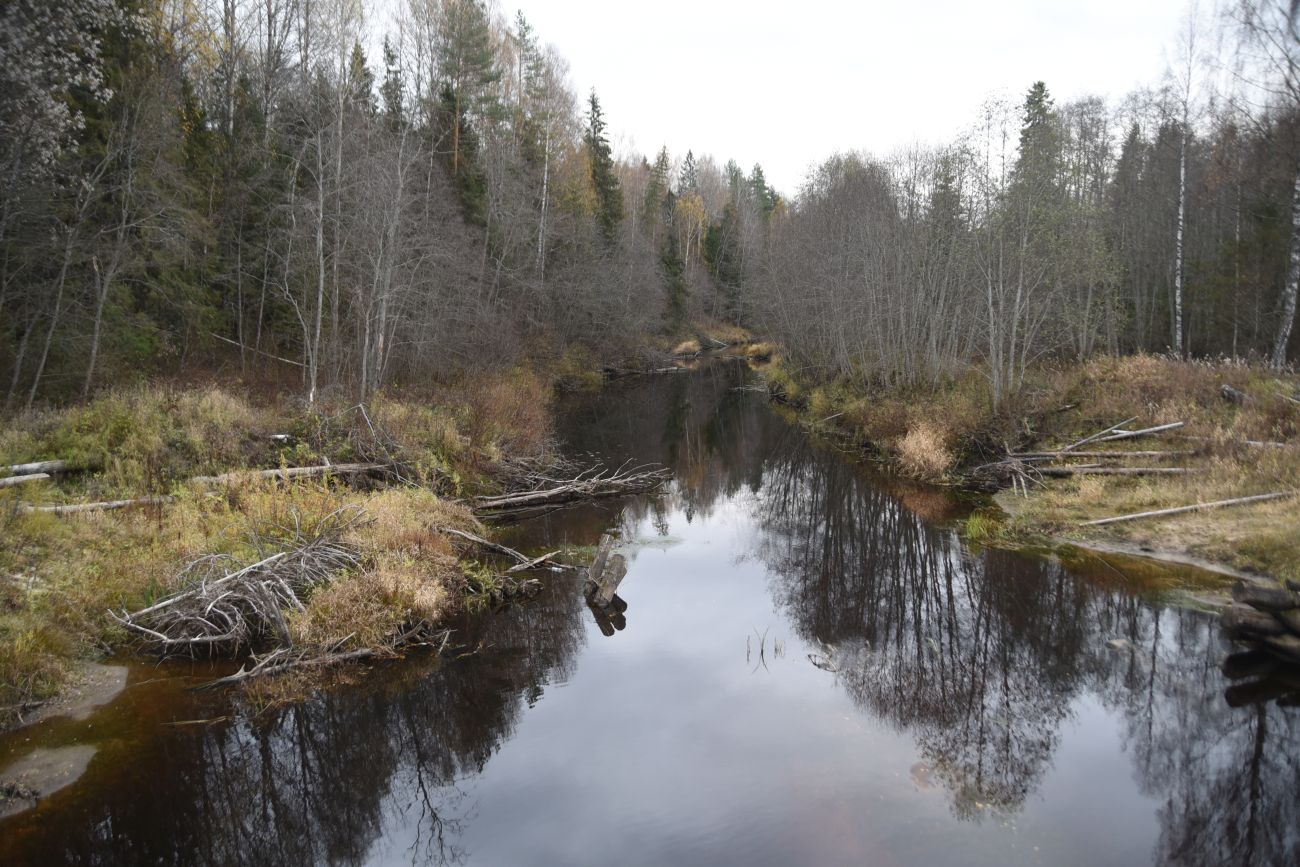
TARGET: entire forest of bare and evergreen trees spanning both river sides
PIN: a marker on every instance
(190, 185)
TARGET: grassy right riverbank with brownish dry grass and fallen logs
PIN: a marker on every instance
(943, 433)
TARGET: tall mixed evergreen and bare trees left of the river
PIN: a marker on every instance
(189, 180)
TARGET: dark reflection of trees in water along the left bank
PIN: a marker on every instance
(324, 781)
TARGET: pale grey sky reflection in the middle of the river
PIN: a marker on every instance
(686, 753)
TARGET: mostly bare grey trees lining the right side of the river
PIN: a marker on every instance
(1167, 224)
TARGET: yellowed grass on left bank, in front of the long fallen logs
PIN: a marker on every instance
(63, 574)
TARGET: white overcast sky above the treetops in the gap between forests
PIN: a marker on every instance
(788, 84)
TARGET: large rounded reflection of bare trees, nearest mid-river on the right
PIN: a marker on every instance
(965, 653)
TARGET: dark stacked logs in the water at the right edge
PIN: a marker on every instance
(1266, 615)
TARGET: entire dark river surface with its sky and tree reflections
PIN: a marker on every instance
(812, 670)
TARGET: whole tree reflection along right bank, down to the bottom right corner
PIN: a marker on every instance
(981, 656)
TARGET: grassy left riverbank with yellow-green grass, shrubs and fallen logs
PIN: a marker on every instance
(60, 575)
